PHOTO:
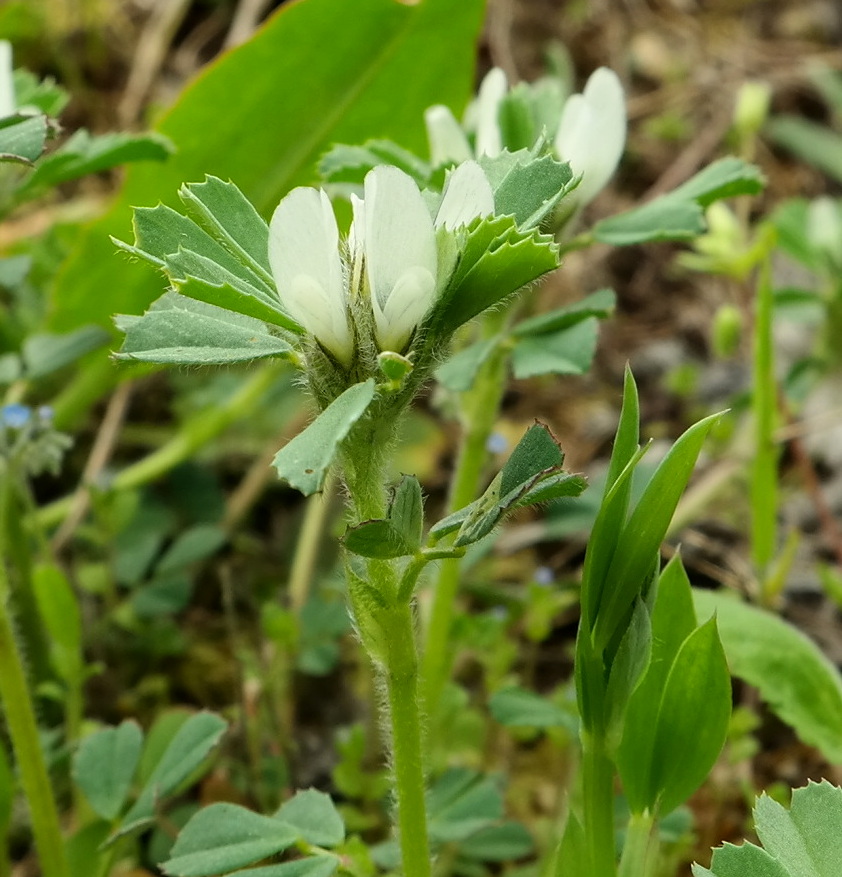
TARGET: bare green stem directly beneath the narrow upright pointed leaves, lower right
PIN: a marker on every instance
(598, 785)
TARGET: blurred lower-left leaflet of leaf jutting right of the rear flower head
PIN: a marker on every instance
(664, 219)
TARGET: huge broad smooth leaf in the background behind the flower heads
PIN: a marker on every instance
(241, 119)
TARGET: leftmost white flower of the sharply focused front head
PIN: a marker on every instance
(305, 262)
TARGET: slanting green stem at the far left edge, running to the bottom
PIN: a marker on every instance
(23, 731)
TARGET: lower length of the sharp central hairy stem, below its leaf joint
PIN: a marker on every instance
(407, 754)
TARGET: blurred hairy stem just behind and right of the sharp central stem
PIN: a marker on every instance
(481, 406)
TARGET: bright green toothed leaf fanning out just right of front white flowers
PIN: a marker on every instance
(496, 260)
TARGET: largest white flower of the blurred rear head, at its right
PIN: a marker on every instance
(592, 132)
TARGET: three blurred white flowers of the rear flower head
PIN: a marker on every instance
(591, 133)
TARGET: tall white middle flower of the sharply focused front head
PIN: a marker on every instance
(399, 238)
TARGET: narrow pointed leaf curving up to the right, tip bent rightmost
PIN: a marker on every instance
(645, 529)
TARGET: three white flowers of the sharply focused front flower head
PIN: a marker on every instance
(398, 256)
